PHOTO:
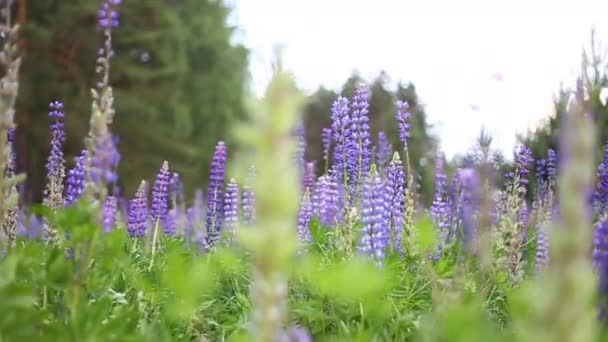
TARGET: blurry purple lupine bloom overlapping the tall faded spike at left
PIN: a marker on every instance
(105, 159)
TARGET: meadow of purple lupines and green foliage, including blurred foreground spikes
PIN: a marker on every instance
(277, 247)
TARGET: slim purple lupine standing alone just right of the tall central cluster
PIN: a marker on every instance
(439, 210)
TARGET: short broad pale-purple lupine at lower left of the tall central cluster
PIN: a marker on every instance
(326, 201)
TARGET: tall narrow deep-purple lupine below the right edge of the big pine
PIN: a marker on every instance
(215, 199)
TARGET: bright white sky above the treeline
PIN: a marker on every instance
(475, 63)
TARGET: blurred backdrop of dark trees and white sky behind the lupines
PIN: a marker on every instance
(184, 70)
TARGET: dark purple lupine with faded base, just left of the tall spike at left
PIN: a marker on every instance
(56, 163)
